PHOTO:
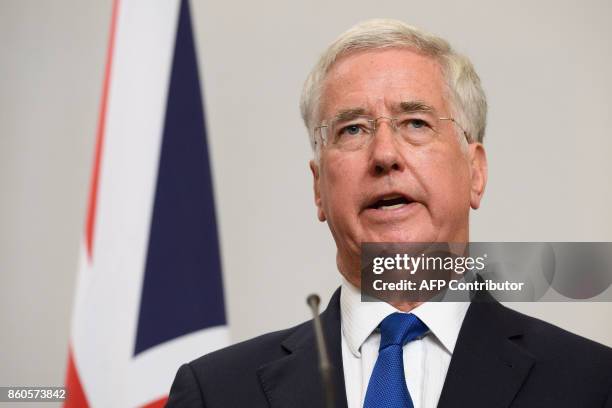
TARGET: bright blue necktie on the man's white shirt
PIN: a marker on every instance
(387, 387)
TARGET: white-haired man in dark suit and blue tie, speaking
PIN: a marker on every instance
(396, 120)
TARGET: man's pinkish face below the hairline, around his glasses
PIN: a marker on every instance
(391, 190)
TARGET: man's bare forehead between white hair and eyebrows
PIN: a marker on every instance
(378, 80)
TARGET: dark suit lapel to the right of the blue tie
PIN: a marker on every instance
(488, 366)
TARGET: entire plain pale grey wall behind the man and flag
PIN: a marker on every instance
(544, 64)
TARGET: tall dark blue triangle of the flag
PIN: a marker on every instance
(182, 289)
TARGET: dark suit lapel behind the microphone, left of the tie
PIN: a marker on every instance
(294, 380)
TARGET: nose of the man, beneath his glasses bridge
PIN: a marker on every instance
(385, 154)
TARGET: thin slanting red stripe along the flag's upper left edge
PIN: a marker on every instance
(93, 189)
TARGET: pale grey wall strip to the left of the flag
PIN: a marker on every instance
(51, 68)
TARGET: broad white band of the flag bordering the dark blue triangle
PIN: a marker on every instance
(108, 290)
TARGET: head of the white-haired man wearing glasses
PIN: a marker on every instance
(396, 120)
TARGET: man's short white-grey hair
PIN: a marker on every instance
(467, 99)
